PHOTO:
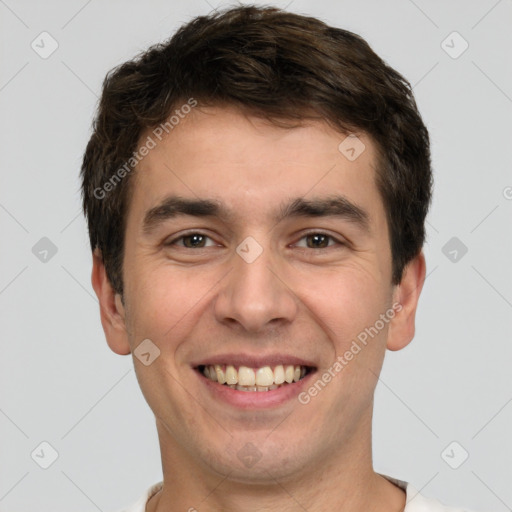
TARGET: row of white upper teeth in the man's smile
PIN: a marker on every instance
(245, 376)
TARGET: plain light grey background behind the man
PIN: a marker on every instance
(61, 384)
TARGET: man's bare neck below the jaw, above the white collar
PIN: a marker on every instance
(343, 481)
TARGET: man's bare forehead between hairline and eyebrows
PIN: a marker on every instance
(251, 163)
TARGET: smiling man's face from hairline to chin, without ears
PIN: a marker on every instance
(257, 284)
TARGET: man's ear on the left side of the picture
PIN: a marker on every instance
(111, 307)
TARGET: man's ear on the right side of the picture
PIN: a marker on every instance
(407, 293)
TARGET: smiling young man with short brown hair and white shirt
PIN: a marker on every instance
(256, 190)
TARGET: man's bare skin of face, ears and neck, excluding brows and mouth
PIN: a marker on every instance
(295, 298)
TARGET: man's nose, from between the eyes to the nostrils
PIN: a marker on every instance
(255, 296)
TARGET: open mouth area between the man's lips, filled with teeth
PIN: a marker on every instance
(265, 378)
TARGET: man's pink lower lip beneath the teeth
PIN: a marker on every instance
(255, 399)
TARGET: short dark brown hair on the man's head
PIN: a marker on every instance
(276, 65)
